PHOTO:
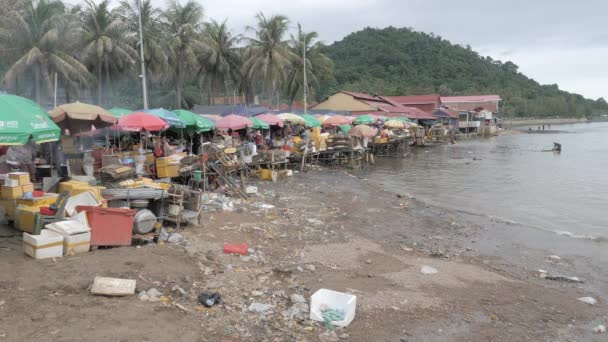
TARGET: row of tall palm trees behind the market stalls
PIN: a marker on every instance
(92, 51)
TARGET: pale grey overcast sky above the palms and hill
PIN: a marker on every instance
(552, 41)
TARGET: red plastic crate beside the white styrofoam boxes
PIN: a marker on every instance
(109, 226)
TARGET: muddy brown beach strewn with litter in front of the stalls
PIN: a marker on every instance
(319, 229)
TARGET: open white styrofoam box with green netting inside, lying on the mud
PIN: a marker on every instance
(344, 302)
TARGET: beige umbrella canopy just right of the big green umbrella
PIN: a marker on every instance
(79, 117)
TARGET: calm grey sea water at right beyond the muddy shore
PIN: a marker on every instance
(510, 178)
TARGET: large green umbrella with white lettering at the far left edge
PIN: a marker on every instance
(21, 118)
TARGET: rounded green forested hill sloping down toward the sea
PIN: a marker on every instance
(394, 61)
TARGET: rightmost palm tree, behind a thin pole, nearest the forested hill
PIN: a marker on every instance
(318, 65)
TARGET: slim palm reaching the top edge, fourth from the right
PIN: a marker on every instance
(185, 42)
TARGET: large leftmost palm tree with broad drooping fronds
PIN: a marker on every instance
(39, 33)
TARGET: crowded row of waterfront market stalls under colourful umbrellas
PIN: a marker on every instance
(97, 177)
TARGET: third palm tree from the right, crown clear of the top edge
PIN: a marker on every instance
(221, 61)
